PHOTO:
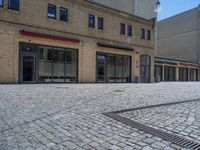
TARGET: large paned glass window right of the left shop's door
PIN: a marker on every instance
(57, 65)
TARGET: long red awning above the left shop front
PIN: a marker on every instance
(50, 37)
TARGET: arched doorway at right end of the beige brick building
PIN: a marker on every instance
(145, 68)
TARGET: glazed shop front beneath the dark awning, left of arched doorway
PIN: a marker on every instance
(112, 68)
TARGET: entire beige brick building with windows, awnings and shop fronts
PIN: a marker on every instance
(73, 41)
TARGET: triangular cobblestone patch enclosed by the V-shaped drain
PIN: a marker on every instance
(181, 119)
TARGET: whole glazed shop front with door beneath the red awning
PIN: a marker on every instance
(47, 64)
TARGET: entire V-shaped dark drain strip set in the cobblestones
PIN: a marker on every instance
(173, 138)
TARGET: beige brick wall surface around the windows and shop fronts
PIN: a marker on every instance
(12, 22)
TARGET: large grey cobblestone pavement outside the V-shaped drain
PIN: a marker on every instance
(69, 116)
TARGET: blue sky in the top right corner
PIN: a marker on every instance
(173, 7)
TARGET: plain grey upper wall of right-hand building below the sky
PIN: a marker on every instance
(178, 36)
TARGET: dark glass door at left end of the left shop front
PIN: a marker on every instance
(28, 68)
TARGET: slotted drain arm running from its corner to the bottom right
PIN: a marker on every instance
(156, 132)
